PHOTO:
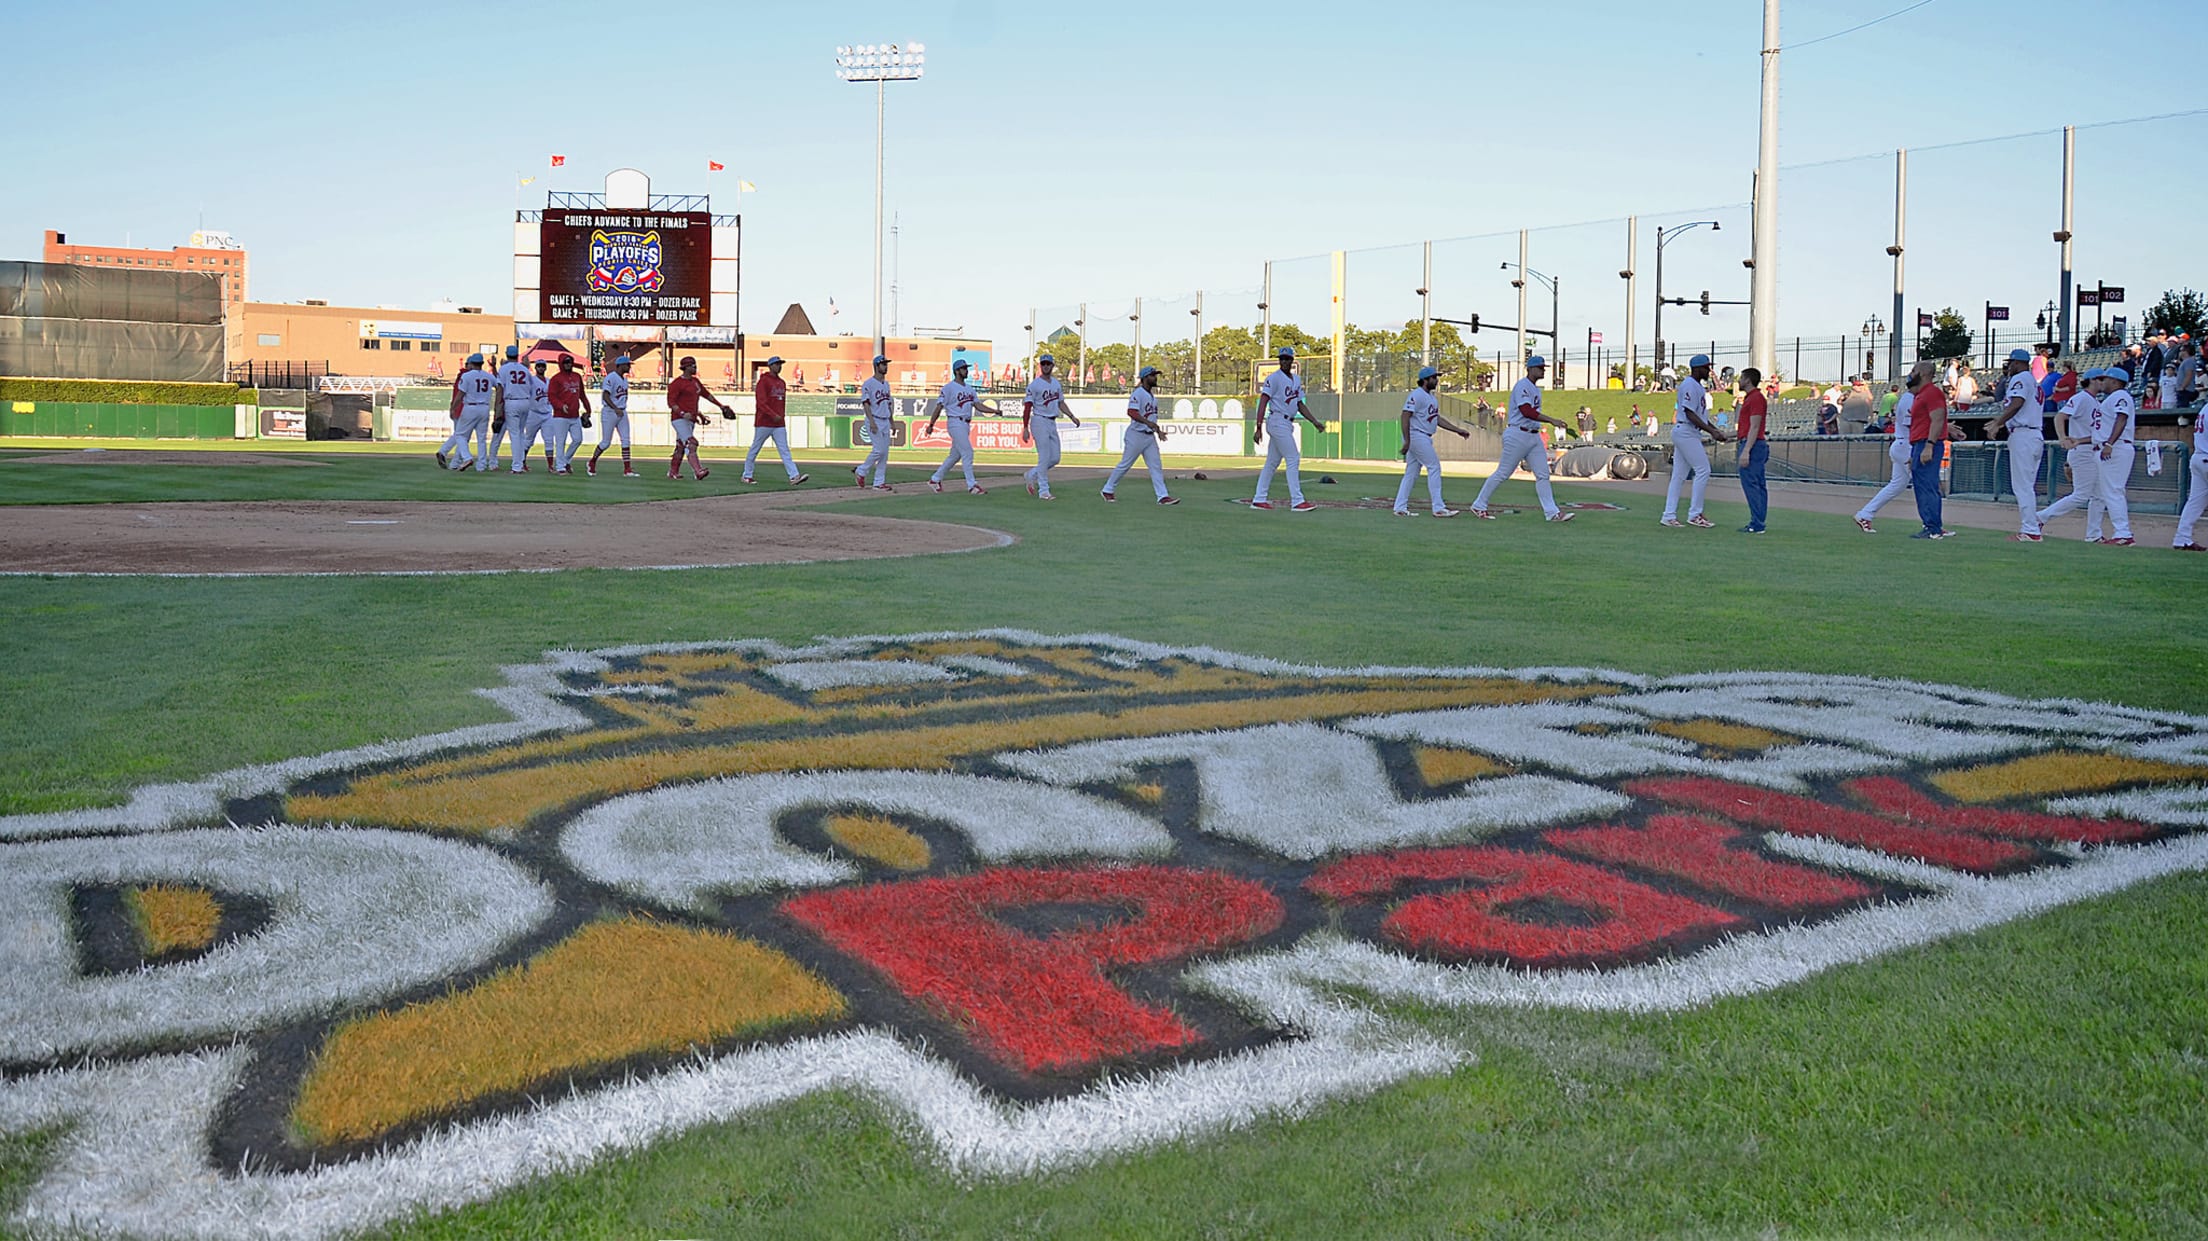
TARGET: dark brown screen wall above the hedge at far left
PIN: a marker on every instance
(94, 323)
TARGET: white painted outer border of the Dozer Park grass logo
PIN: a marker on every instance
(131, 1156)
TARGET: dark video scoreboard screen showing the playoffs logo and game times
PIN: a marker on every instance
(611, 266)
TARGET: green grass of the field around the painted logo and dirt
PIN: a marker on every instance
(2041, 1079)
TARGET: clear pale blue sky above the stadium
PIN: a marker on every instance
(1143, 149)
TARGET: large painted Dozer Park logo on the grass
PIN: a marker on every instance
(1045, 898)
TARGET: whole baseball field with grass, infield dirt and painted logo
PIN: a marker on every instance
(948, 867)
